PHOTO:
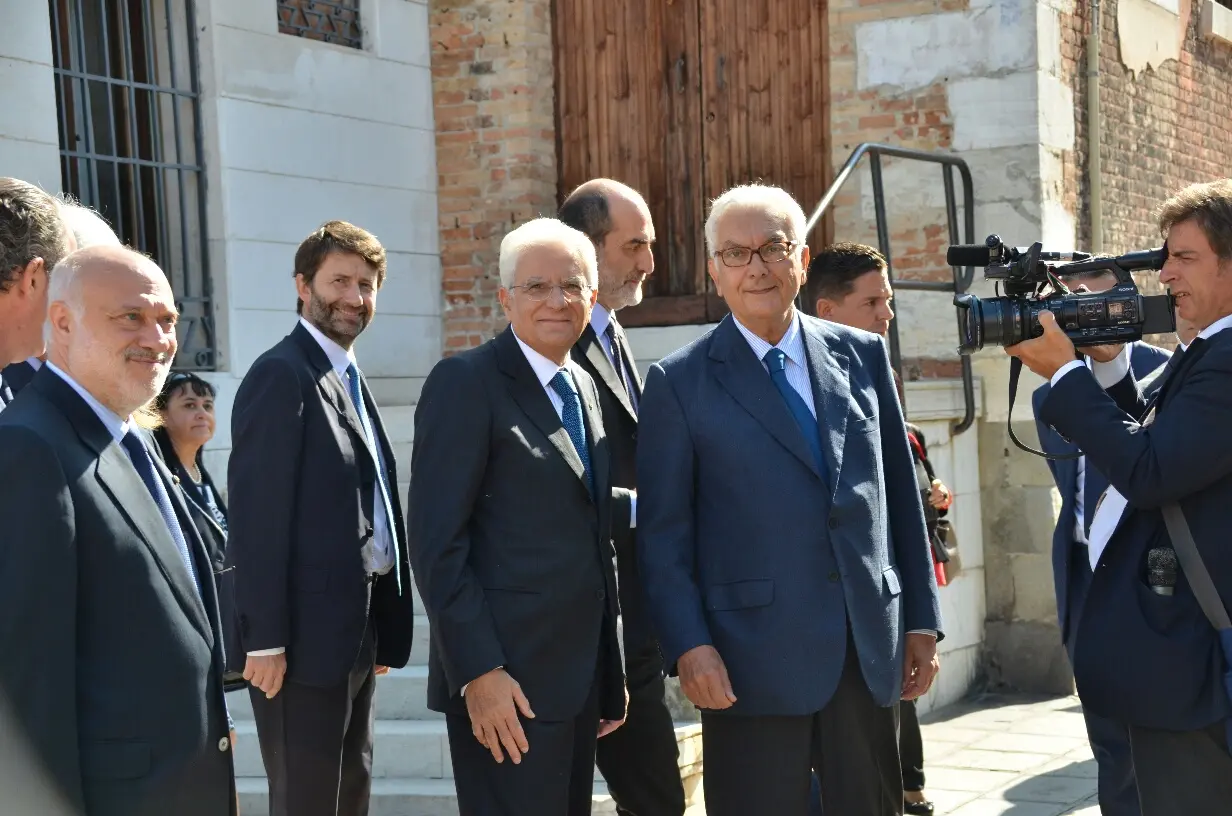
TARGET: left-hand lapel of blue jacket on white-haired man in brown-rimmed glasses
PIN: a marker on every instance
(746, 379)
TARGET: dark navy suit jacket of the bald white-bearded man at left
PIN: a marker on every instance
(113, 660)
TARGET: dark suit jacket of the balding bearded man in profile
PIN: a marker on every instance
(620, 423)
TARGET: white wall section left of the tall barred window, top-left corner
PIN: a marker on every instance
(29, 131)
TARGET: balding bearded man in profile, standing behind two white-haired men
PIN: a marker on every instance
(640, 762)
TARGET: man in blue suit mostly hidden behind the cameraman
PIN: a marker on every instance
(1081, 488)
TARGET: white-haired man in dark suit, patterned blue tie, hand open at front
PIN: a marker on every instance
(512, 512)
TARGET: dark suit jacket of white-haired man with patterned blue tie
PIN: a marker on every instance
(512, 553)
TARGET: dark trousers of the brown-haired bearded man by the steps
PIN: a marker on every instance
(317, 743)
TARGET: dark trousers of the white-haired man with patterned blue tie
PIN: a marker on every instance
(555, 778)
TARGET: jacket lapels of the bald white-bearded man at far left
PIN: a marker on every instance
(115, 471)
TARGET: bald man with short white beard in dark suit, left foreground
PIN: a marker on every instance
(109, 619)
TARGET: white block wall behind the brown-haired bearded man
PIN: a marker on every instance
(299, 133)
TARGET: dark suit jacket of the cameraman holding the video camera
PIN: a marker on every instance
(1144, 659)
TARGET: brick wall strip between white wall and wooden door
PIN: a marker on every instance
(496, 147)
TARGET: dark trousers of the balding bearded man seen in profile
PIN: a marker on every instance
(640, 761)
